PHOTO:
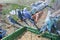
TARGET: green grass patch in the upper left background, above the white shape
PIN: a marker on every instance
(13, 7)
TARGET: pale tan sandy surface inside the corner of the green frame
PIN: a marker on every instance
(30, 36)
